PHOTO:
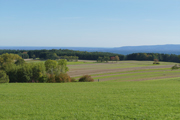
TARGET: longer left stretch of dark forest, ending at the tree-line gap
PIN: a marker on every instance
(54, 54)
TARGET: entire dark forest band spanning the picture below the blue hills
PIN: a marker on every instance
(100, 56)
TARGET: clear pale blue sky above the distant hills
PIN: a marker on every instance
(89, 23)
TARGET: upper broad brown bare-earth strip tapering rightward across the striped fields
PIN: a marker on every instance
(92, 69)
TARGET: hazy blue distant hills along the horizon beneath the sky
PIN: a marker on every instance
(166, 49)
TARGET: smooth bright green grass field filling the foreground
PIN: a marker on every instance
(151, 100)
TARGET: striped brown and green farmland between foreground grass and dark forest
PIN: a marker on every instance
(125, 71)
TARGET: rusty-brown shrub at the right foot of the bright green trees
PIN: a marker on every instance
(62, 77)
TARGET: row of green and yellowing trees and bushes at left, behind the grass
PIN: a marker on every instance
(14, 69)
